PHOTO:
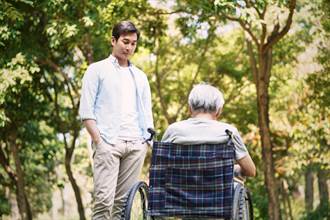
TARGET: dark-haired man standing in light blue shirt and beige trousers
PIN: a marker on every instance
(115, 107)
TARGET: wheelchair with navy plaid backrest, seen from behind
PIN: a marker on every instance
(196, 181)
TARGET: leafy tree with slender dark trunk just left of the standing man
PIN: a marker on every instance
(63, 38)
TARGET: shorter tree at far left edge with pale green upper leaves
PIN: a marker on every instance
(26, 162)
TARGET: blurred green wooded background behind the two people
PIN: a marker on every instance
(270, 58)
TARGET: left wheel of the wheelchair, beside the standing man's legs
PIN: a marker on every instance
(136, 203)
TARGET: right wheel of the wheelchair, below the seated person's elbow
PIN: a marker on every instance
(242, 204)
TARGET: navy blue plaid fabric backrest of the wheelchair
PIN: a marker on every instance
(191, 180)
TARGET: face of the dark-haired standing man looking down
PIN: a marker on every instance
(124, 46)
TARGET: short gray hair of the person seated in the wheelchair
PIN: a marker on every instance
(205, 98)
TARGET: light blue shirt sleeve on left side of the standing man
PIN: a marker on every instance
(89, 91)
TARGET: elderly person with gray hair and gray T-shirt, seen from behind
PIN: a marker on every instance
(205, 106)
